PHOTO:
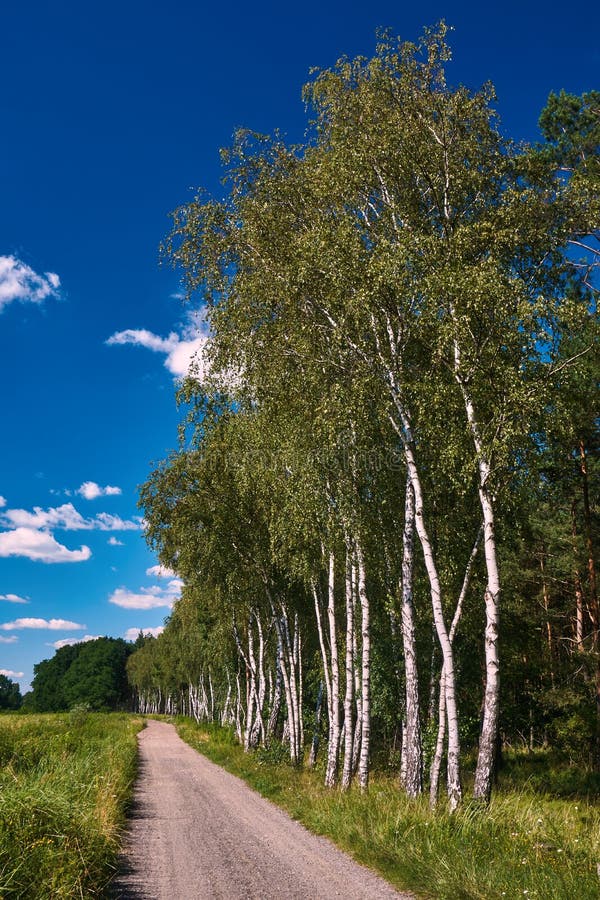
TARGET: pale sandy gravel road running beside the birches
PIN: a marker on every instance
(199, 833)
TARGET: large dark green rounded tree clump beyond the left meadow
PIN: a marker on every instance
(91, 673)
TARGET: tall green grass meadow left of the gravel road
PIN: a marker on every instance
(65, 781)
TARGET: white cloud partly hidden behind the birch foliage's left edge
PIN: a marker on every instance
(180, 351)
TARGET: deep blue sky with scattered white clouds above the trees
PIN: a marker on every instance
(112, 113)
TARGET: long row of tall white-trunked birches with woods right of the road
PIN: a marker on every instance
(398, 428)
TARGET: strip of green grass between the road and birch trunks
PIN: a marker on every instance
(527, 844)
